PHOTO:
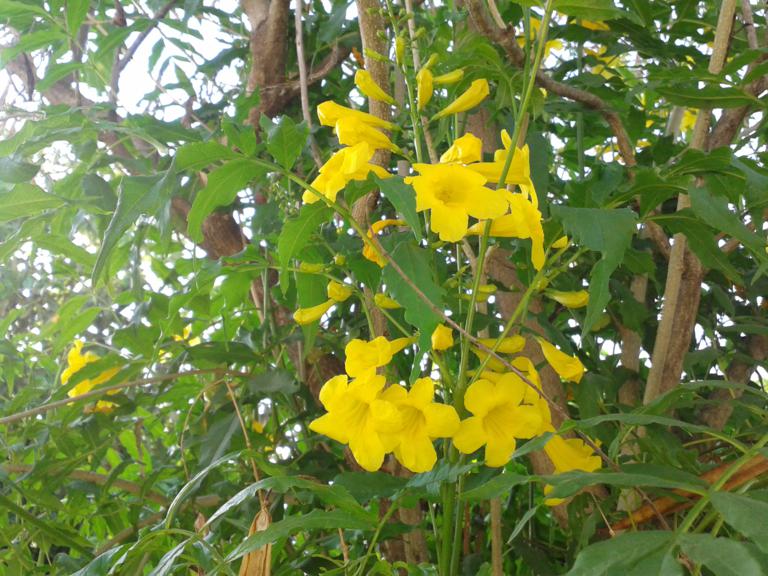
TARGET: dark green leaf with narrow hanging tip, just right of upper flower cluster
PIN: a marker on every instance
(607, 231)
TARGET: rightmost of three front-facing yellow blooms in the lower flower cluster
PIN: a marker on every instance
(499, 417)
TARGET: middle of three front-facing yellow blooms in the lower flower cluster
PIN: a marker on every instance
(423, 420)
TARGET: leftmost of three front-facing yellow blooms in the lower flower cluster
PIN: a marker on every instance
(358, 417)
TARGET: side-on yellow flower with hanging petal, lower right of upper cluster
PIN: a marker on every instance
(523, 221)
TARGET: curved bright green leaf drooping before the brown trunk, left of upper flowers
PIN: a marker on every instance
(223, 185)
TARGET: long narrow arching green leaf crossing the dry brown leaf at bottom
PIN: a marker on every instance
(315, 520)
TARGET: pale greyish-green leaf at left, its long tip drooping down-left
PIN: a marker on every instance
(137, 195)
